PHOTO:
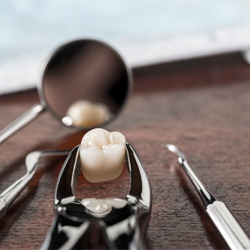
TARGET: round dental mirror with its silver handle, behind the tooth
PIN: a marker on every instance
(85, 69)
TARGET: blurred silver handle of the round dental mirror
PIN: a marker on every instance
(20, 122)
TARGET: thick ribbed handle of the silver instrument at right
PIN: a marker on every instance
(227, 225)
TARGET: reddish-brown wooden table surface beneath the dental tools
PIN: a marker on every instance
(202, 106)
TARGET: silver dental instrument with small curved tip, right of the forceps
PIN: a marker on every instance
(222, 218)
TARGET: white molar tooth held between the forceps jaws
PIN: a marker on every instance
(102, 155)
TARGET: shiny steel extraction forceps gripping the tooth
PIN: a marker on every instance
(77, 225)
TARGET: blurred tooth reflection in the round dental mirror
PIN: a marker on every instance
(87, 114)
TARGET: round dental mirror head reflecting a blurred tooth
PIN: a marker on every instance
(85, 84)
